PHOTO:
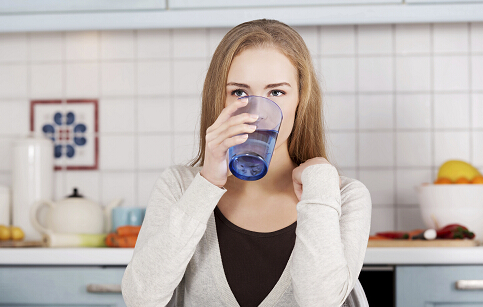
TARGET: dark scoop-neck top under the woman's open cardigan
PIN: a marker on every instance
(253, 261)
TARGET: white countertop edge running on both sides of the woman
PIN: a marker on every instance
(122, 256)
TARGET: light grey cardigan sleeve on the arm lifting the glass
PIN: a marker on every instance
(174, 223)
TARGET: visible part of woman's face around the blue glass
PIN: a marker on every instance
(269, 73)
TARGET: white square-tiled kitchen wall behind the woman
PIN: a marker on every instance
(399, 101)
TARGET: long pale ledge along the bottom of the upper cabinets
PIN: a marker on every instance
(229, 17)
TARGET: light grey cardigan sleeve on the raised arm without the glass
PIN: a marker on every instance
(333, 227)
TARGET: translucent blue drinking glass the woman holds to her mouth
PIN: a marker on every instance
(250, 160)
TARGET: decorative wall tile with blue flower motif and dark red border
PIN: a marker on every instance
(72, 126)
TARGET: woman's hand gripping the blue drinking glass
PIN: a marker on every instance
(226, 131)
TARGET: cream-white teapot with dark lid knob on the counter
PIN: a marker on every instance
(74, 214)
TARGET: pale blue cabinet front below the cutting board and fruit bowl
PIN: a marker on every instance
(431, 286)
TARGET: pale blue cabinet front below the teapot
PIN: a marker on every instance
(60, 286)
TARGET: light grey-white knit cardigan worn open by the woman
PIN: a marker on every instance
(177, 258)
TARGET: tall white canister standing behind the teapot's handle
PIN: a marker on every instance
(32, 180)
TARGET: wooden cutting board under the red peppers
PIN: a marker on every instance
(423, 243)
